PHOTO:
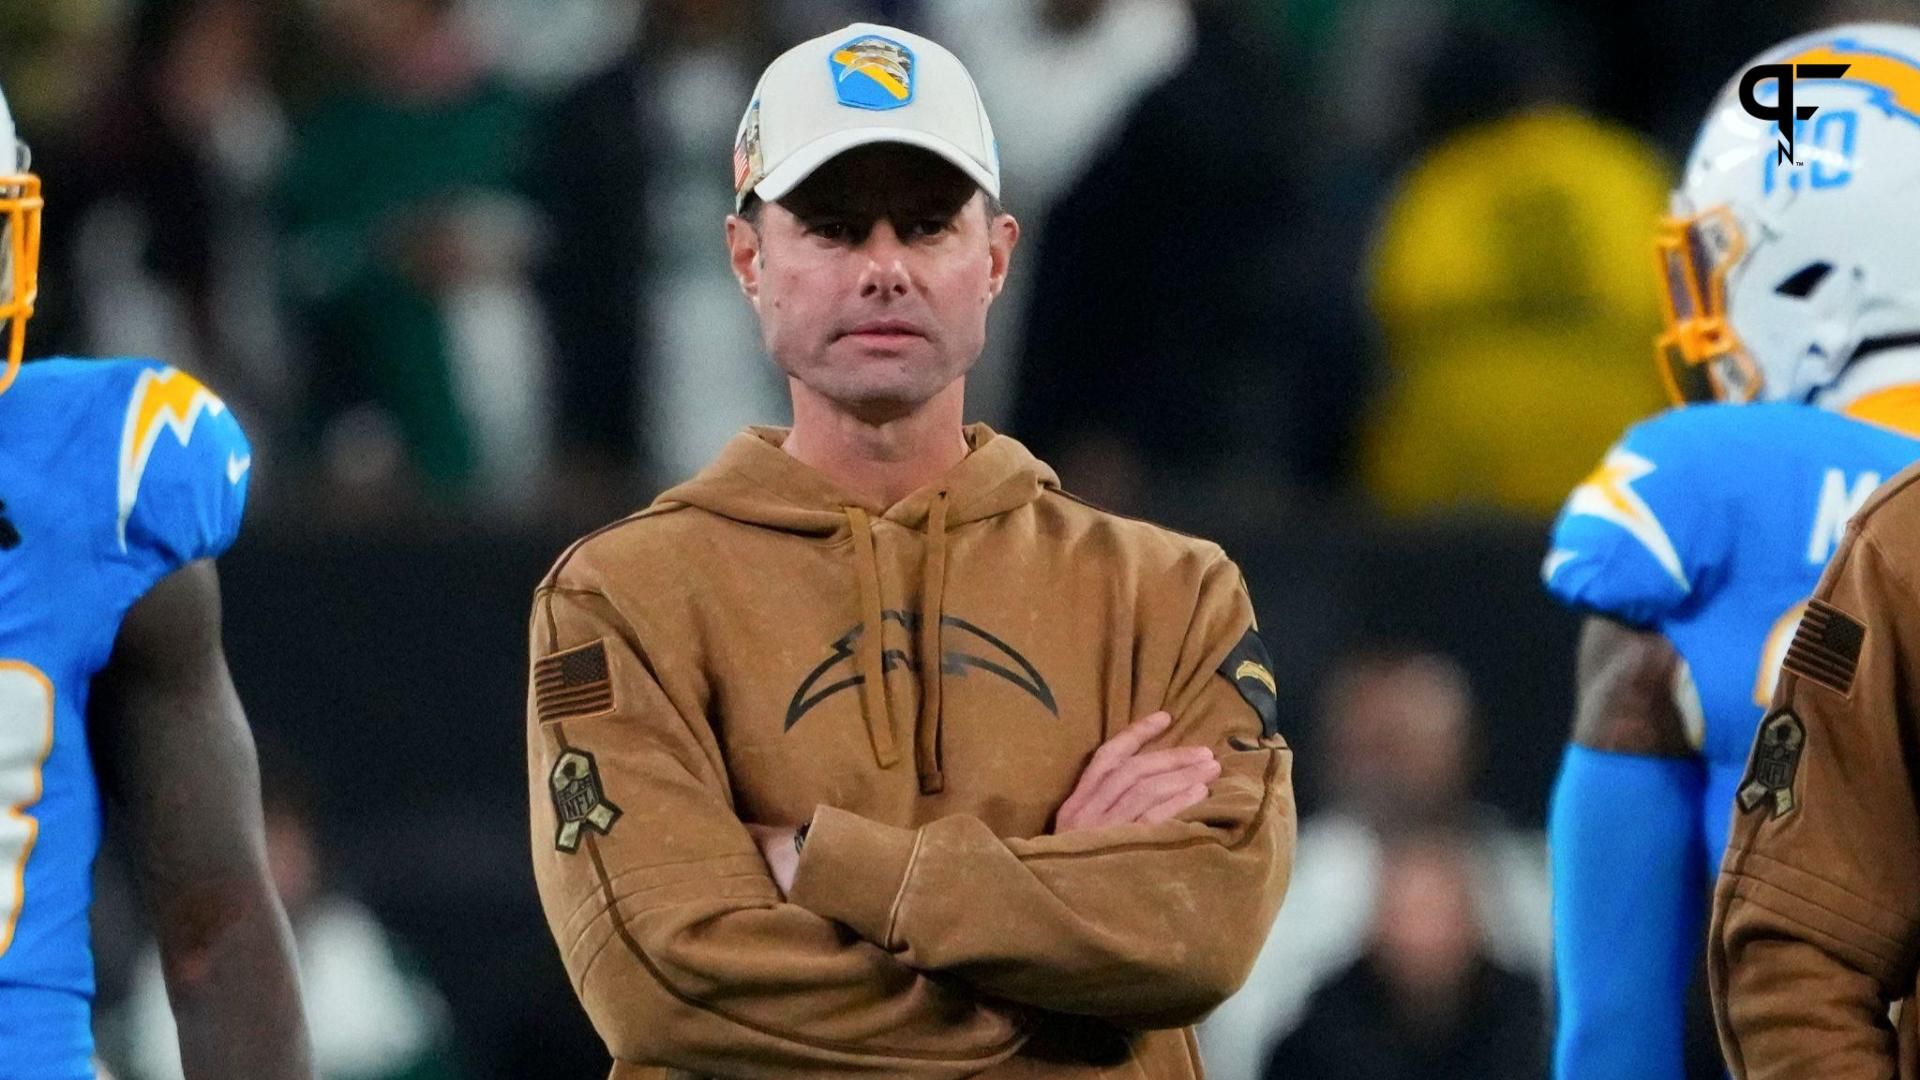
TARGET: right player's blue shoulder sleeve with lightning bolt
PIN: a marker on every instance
(1639, 537)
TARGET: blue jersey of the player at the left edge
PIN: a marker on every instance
(112, 476)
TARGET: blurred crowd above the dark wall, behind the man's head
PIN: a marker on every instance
(468, 253)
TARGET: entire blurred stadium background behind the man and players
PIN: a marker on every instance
(1370, 274)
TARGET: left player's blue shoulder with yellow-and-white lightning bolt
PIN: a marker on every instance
(183, 466)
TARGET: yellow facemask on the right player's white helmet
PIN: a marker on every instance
(1700, 356)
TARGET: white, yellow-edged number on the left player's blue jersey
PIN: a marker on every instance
(26, 741)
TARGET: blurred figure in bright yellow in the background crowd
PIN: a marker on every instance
(1510, 282)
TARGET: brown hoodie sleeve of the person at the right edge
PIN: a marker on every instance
(1817, 914)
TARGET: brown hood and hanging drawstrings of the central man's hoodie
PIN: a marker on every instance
(757, 483)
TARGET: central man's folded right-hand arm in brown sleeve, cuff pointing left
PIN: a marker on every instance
(1147, 925)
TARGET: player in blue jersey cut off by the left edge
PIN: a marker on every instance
(120, 481)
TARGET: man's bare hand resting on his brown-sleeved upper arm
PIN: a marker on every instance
(1124, 785)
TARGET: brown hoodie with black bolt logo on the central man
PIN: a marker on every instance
(750, 650)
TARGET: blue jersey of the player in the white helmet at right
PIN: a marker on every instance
(1712, 526)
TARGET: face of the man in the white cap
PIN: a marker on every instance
(873, 280)
